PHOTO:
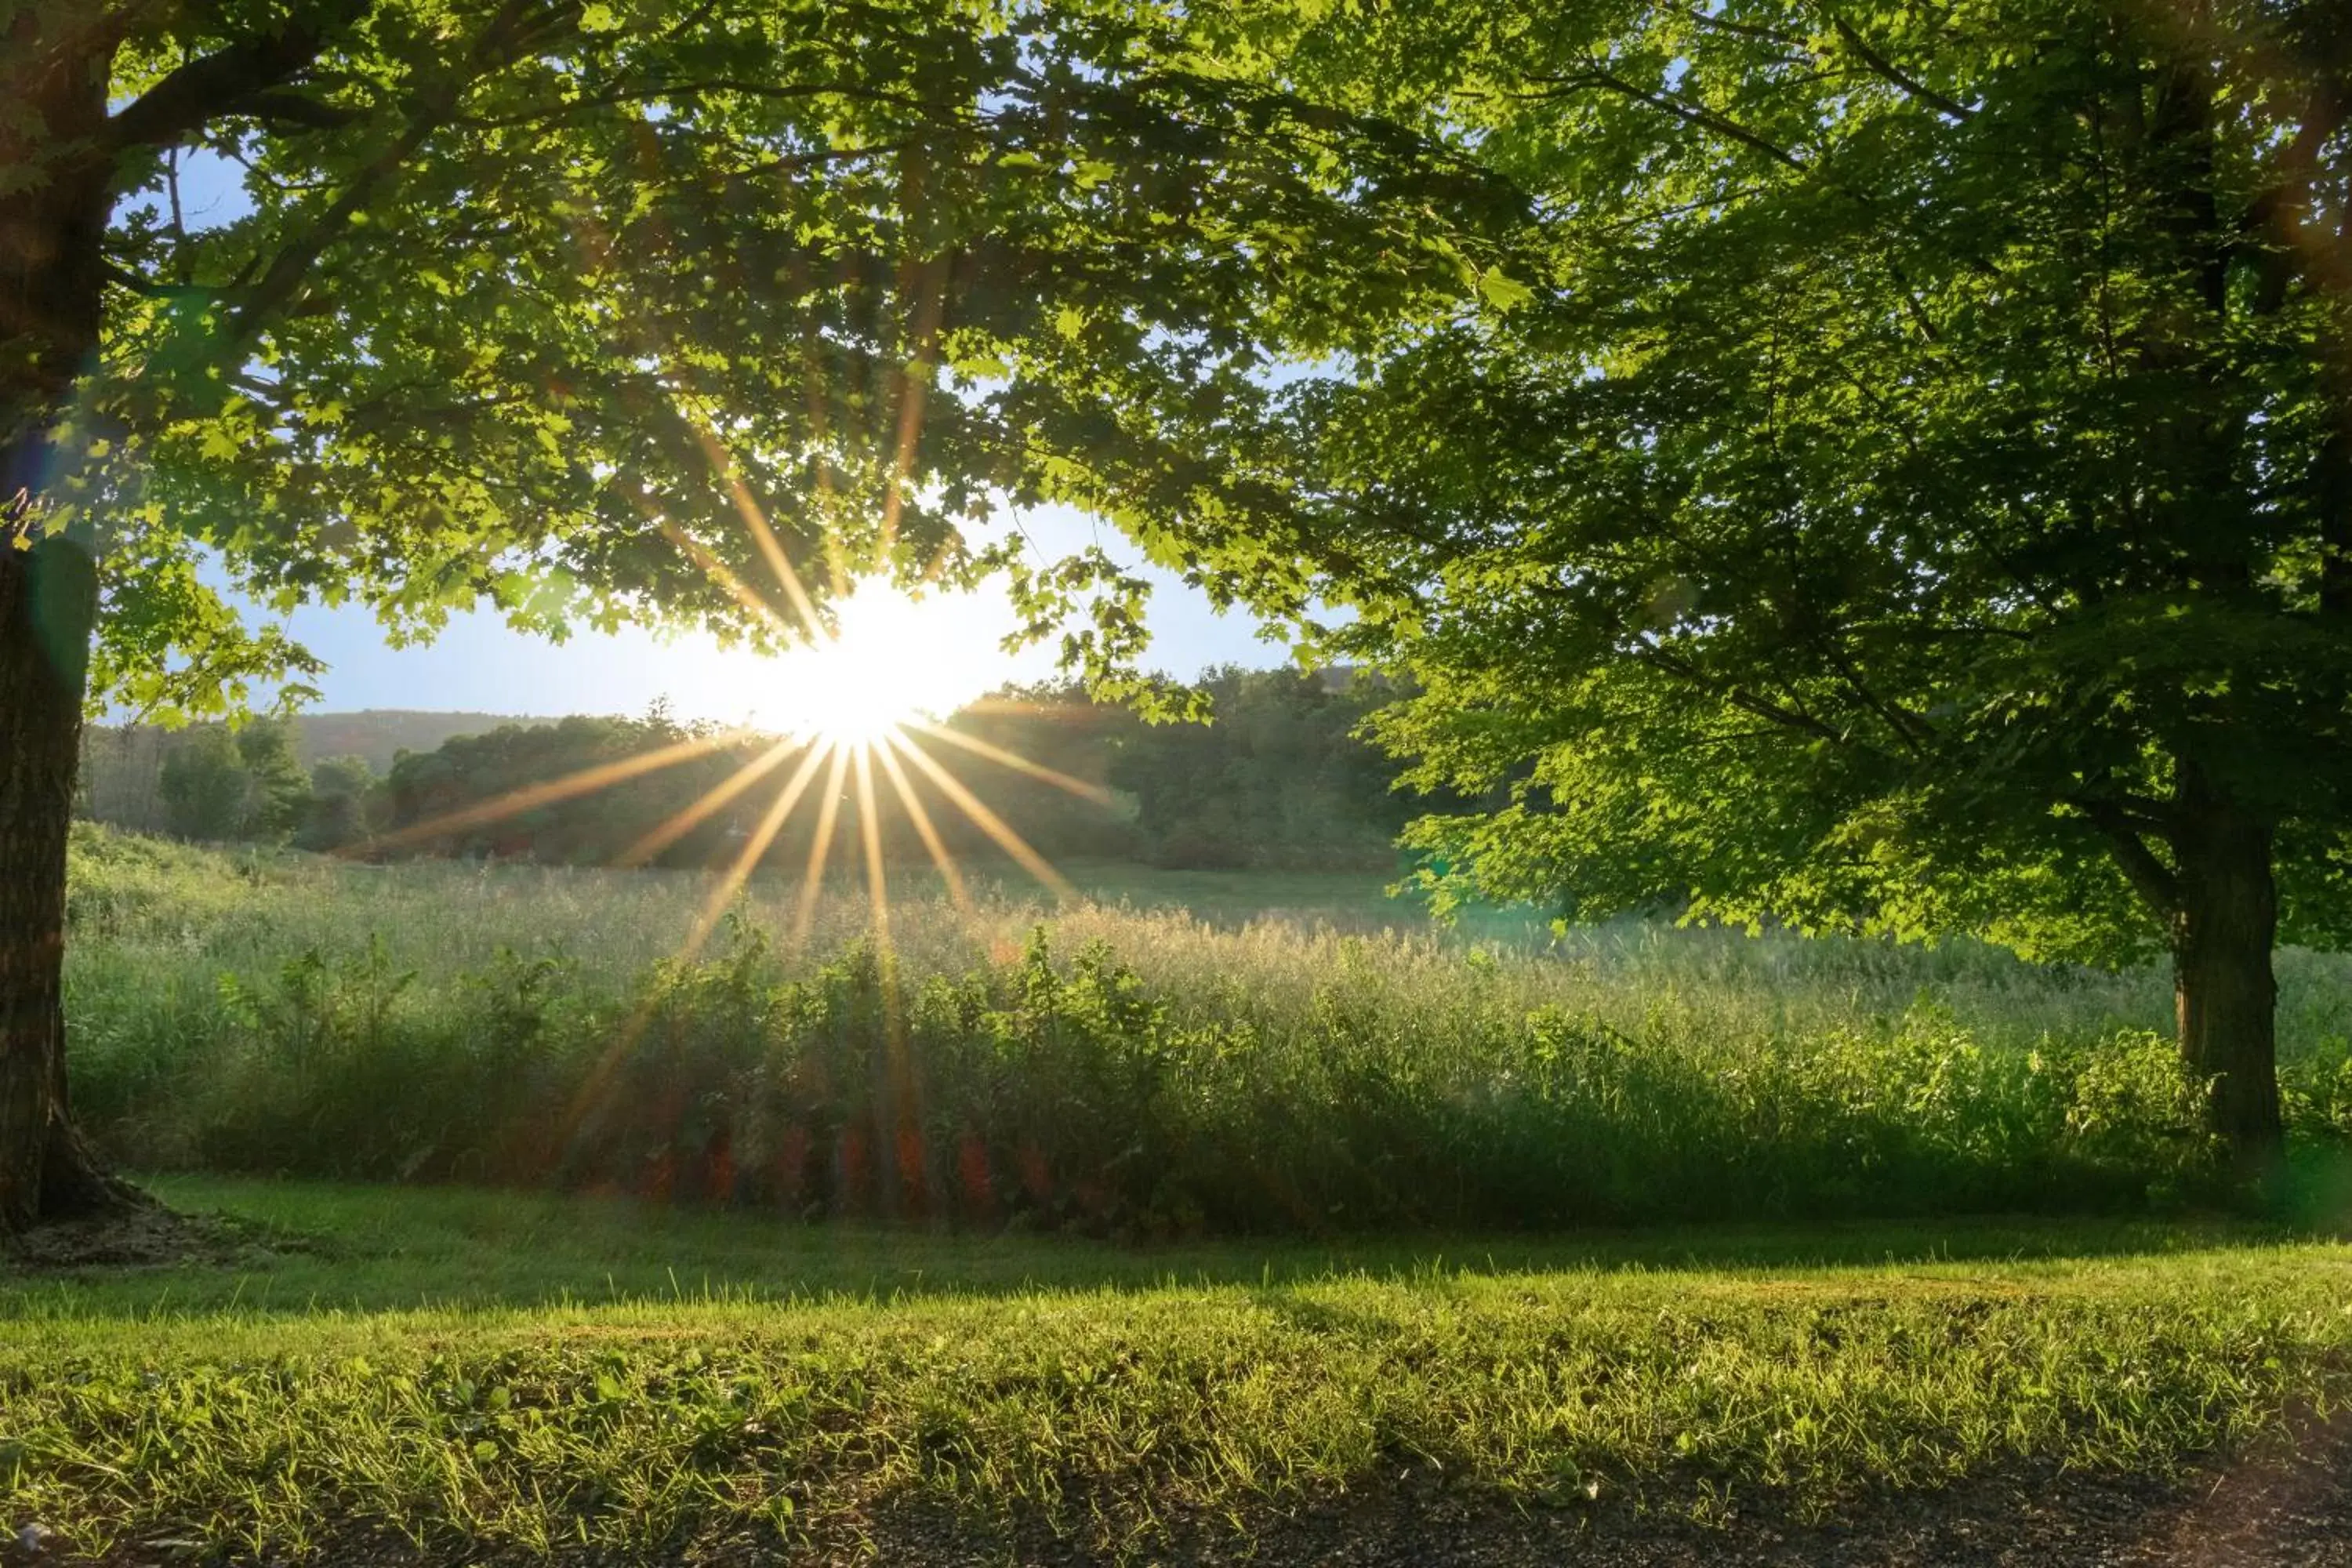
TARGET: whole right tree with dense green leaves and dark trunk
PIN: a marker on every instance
(1902, 481)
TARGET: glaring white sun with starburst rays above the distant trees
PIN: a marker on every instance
(888, 662)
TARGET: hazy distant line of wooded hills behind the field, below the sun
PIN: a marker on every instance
(1278, 779)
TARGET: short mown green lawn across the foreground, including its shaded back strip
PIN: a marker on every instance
(521, 1374)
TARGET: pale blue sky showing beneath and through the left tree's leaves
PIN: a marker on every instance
(479, 664)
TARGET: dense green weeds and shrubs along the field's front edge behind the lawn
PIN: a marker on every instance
(1081, 1094)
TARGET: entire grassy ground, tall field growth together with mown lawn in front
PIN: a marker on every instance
(1158, 1226)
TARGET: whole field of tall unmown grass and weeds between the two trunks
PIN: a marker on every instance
(1111, 1068)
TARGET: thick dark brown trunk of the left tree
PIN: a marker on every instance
(53, 267)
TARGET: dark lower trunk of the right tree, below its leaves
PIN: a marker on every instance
(2224, 930)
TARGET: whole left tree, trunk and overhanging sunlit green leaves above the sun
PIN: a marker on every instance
(601, 311)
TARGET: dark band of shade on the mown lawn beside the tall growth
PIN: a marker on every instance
(382, 1249)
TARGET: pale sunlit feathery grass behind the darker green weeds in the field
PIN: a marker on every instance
(159, 920)
